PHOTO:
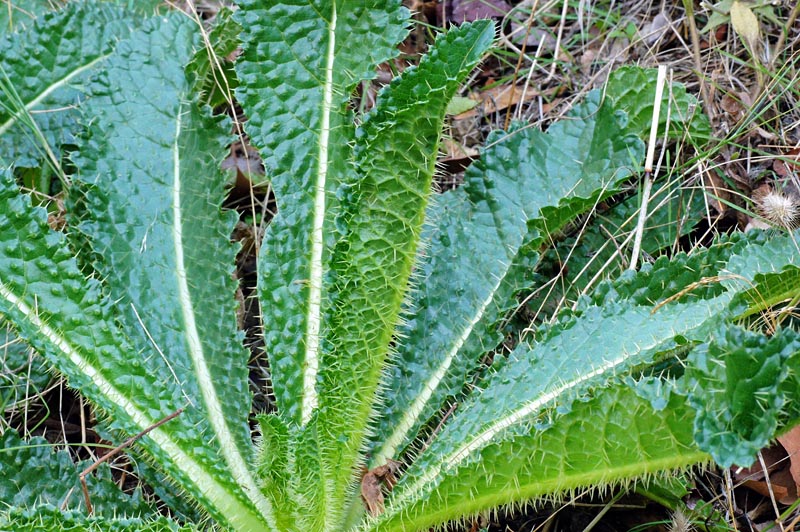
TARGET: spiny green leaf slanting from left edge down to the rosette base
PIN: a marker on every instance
(63, 315)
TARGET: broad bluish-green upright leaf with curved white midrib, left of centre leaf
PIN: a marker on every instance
(152, 190)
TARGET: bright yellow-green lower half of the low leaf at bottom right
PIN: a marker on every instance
(616, 435)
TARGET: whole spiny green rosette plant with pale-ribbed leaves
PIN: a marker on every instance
(380, 300)
